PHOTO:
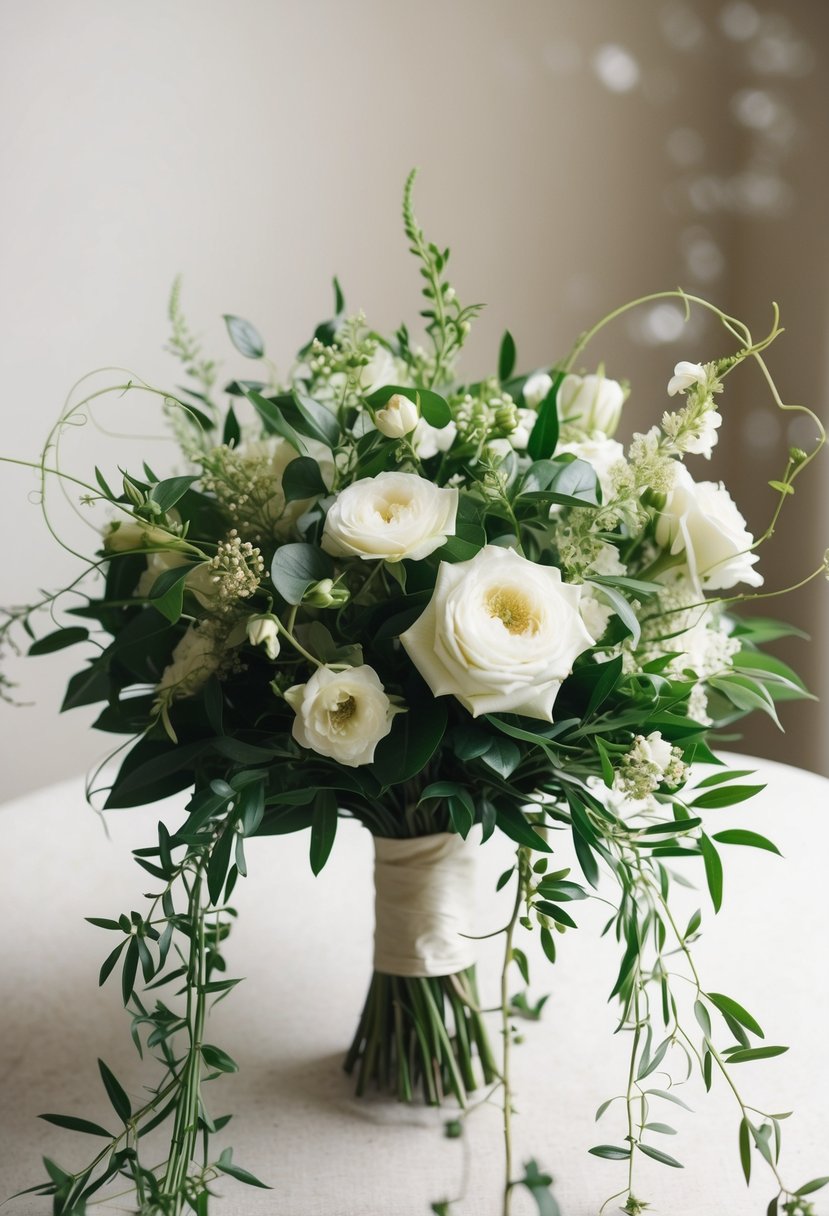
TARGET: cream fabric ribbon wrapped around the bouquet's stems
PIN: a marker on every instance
(425, 894)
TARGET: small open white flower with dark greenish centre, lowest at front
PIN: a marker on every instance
(342, 714)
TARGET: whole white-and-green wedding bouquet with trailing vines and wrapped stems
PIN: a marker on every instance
(375, 592)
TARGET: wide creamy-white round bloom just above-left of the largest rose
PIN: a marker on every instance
(391, 516)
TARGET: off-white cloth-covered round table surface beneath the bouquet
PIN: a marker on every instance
(304, 948)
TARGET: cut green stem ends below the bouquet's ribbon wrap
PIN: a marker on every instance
(422, 1033)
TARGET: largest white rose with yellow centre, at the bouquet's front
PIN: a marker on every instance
(500, 634)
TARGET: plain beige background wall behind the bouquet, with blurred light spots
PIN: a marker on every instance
(573, 153)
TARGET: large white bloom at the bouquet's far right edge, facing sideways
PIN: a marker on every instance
(701, 521)
